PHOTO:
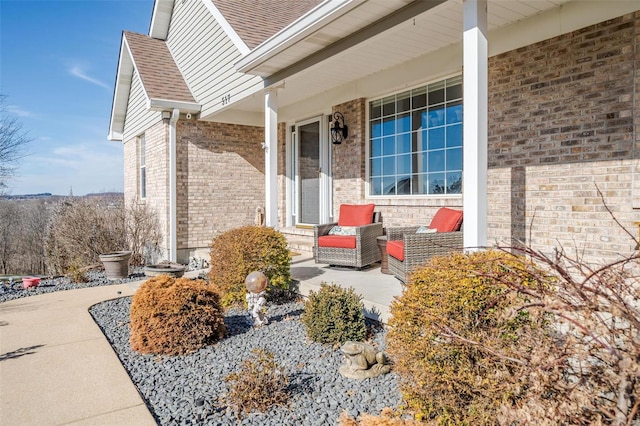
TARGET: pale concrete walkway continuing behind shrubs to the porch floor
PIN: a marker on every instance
(57, 368)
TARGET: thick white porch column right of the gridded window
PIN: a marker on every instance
(475, 80)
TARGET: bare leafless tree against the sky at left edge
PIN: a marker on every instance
(13, 141)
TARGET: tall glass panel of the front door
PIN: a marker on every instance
(309, 170)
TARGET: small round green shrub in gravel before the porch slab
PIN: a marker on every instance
(334, 315)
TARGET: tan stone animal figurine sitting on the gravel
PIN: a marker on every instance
(362, 361)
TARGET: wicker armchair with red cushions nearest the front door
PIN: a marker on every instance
(357, 250)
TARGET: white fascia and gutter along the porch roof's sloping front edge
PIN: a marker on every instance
(316, 18)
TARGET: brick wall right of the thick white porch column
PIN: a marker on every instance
(561, 121)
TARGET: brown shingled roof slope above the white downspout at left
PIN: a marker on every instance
(160, 75)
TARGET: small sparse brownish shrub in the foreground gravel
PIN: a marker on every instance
(259, 384)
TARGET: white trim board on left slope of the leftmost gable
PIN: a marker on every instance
(121, 92)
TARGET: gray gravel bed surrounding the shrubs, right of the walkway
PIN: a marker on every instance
(190, 389)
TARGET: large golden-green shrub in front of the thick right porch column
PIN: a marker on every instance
(459, 339)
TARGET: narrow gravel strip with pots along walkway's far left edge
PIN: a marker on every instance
(15, 289)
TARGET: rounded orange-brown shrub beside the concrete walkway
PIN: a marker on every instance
(173, 316)
